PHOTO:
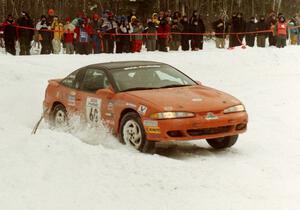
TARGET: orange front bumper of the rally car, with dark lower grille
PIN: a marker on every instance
(196, 128)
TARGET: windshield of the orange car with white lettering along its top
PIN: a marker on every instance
(149, 77)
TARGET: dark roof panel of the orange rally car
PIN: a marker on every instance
(124, 64)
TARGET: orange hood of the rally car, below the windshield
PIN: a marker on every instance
(191, 98)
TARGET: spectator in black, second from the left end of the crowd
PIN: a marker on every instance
(25, 35)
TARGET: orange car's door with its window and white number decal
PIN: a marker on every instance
(94, 107)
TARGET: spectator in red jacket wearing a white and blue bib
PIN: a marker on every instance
(83, 33)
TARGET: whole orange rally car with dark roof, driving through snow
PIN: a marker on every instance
(144, 102)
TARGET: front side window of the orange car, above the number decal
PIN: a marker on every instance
(94, 80)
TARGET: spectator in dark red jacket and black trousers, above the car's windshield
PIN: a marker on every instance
(163, 31)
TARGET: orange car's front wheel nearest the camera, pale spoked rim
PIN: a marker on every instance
(132, 132)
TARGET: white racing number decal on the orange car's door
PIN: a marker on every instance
(93, 110)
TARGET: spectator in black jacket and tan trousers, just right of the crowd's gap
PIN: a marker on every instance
(220, 28)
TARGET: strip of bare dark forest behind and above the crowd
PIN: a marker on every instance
(209, 10)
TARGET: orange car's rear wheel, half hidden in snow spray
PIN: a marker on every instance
(59, 111)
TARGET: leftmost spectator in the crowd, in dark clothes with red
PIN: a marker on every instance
(10, 35)
